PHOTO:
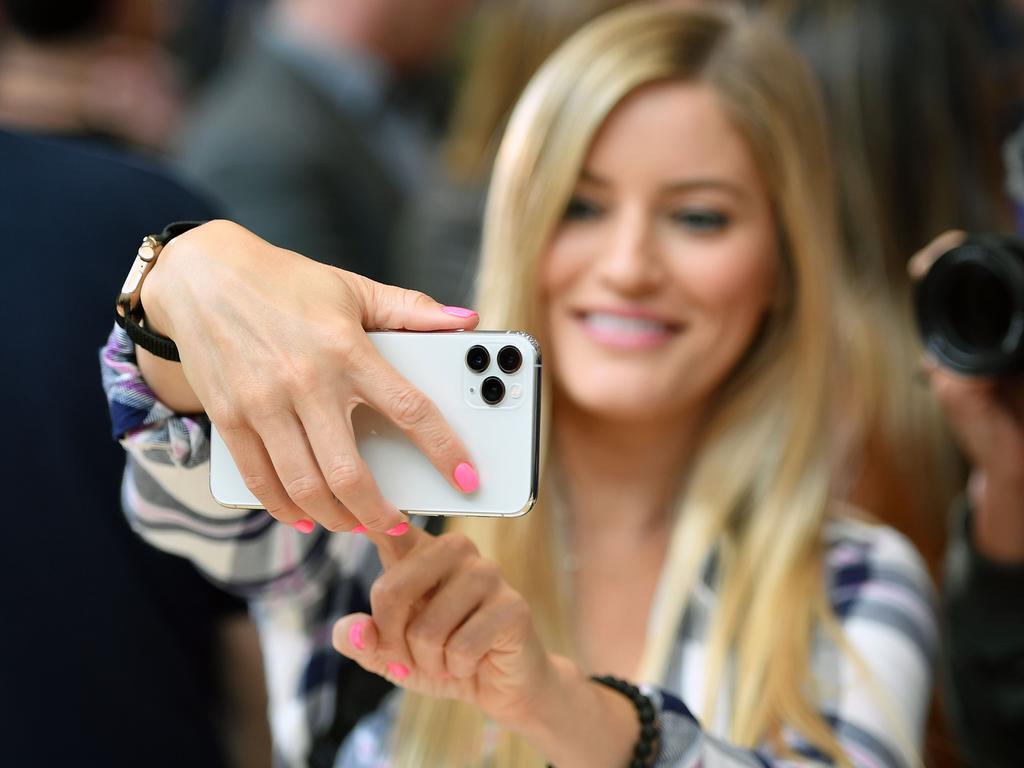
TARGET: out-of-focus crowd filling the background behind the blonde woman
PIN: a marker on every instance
(362, 134)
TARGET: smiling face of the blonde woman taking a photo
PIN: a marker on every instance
(660, 274)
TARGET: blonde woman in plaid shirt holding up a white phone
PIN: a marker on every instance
(661, 219)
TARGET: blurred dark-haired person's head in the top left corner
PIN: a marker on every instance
(91, 69)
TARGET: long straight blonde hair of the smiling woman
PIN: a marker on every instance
(757, 494)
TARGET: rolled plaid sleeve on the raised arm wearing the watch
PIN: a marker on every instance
(166, 496)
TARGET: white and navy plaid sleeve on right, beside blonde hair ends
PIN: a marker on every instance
(876, 702)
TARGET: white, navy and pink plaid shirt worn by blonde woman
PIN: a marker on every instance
(300, 585)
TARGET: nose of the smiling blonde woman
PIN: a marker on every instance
(632, 265)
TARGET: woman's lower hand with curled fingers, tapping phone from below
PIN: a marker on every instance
(446, 624)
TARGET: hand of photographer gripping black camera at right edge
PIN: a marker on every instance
(988, 417)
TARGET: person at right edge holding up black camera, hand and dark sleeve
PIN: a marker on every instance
(984, 594)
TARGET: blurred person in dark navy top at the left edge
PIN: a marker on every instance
(113, 655)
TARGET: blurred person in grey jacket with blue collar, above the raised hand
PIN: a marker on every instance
(323, 131)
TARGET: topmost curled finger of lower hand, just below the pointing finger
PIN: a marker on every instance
(399, 592)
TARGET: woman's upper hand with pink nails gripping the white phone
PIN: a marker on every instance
(274, 350)
